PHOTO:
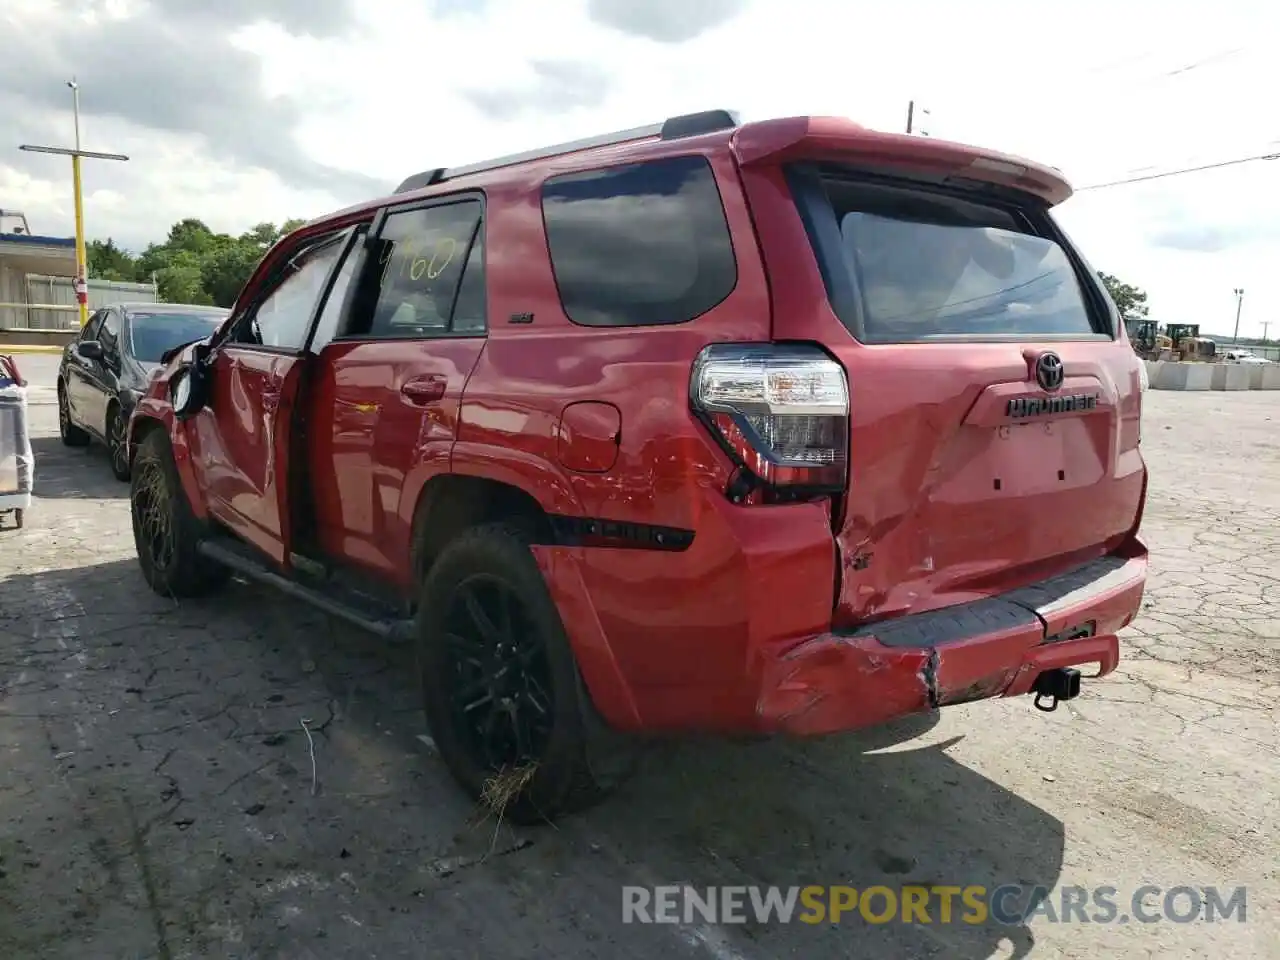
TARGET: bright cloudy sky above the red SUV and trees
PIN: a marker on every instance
(248, 111)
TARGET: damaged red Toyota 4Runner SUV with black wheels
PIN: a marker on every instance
(783, 427)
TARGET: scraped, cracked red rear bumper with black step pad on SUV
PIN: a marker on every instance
(994, 647)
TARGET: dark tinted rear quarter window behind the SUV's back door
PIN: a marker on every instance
(639, 245)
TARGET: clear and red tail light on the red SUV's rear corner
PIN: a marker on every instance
(780, 412)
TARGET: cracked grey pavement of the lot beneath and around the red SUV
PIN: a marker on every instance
(159, 798)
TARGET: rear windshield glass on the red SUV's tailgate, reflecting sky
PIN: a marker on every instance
(927, 266)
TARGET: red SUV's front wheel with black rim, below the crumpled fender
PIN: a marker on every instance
(166, 532)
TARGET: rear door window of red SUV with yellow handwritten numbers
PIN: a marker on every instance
(422, 255)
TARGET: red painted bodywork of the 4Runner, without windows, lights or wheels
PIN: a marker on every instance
(747, 630)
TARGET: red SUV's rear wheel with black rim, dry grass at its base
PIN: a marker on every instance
(518, 671)
